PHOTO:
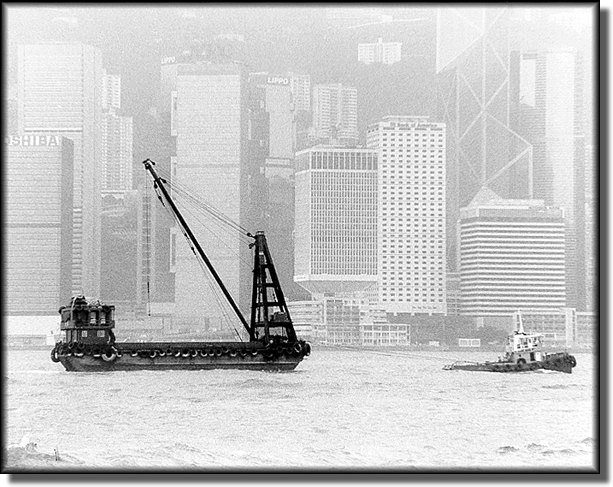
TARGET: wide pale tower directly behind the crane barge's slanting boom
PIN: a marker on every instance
(209, 119)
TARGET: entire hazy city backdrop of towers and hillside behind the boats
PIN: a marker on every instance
(371, 144)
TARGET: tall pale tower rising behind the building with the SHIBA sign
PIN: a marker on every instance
(59, 92)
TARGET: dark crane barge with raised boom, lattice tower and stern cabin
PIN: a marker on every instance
(90, 343)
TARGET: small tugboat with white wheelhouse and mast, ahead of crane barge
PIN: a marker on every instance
(523, 352)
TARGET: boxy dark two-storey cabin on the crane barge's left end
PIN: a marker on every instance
(87, 323)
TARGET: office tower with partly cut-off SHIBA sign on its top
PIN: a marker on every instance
(39, 223)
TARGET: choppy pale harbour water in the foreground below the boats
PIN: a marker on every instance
(340, 409)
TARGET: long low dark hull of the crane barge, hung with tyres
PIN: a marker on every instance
(175, 356)
